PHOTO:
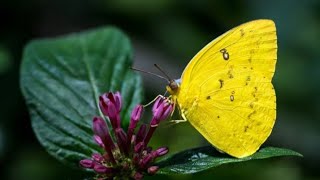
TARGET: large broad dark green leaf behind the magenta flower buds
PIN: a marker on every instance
(61, 80)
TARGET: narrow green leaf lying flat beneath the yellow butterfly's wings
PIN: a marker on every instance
(203, 158)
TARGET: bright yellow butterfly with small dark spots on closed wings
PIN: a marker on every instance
(225, 91)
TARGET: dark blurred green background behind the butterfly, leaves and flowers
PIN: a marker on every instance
(169, 33)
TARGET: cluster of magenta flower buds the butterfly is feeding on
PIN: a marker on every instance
(126, 154)
